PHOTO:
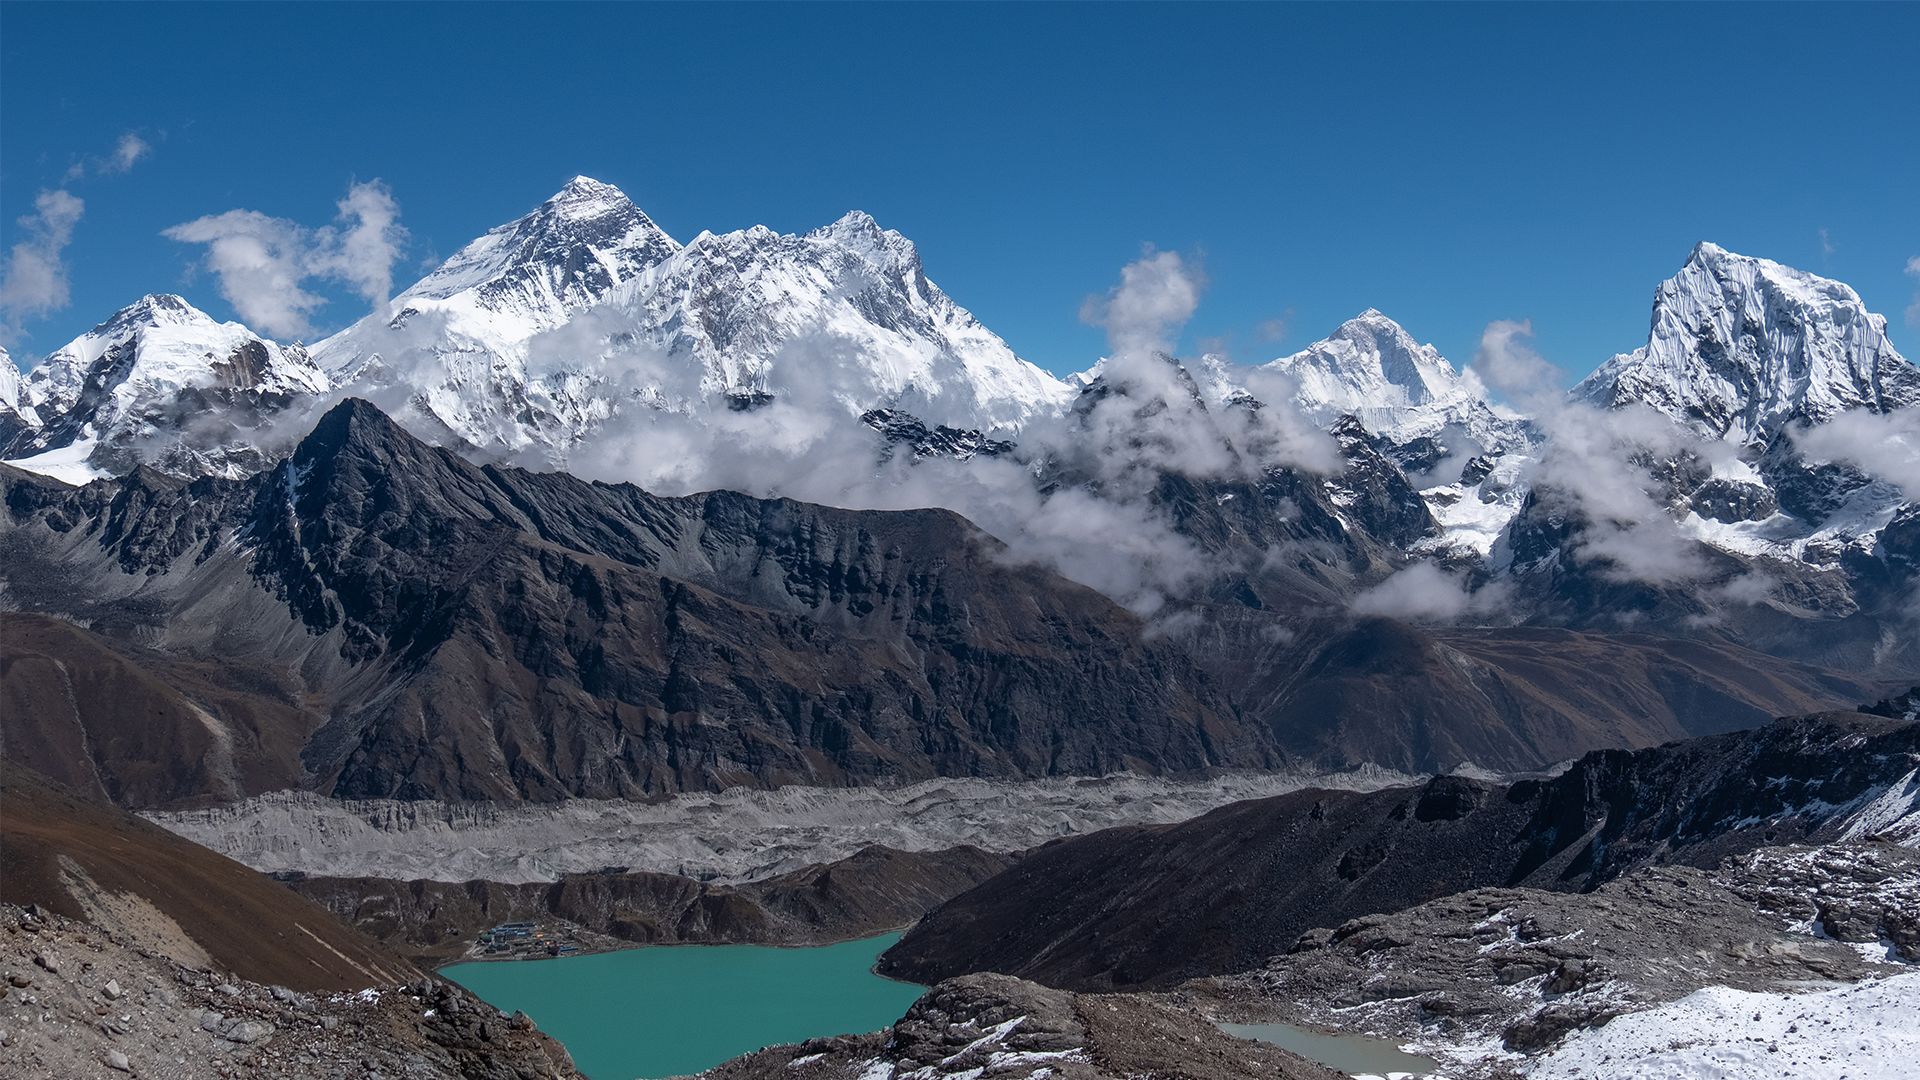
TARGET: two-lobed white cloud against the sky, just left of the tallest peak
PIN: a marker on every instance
(264, 264)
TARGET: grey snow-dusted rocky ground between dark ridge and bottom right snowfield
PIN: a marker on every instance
(1527, 968)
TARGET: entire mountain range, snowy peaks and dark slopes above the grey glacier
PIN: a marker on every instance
(400, 562)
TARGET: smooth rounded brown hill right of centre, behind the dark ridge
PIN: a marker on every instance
(1500, 699)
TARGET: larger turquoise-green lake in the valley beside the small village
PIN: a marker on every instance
(677, 1010)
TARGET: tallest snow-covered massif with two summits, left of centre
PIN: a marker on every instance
(537, 333)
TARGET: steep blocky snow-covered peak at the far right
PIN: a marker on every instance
(1744, 347)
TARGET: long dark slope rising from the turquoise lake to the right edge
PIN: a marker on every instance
(1222, 893)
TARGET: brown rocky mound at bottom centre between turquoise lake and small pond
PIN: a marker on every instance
(990, 1027)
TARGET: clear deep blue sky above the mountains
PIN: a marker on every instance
(1447, 164)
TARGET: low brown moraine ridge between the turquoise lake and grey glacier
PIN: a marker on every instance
(865, 895)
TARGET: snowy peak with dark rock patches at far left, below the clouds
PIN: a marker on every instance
(164, 385)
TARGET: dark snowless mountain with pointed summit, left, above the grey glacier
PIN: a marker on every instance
(437, 629)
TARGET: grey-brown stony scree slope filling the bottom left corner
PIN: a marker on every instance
(84, 1004)
